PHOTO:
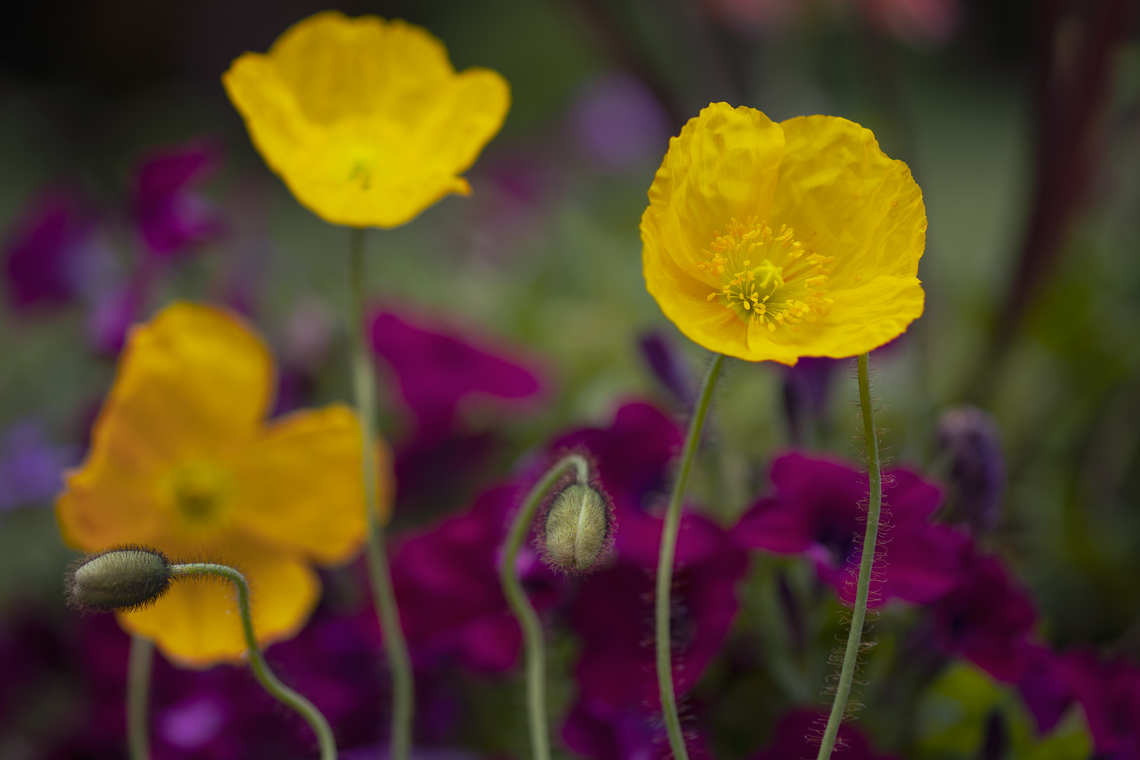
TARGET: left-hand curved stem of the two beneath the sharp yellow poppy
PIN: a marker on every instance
(665, 563)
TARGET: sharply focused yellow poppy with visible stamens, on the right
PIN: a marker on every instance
(767, 241)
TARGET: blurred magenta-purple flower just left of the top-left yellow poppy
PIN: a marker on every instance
(169, 215)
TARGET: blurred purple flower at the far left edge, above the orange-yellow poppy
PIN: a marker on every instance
(44, 251)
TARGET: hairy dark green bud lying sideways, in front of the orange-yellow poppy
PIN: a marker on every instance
(120, 579)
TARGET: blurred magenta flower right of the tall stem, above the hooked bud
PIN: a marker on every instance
(438, 369)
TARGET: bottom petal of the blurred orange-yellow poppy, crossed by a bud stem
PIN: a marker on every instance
(198, 623)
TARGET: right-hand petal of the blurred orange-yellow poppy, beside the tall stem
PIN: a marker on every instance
(300, 485)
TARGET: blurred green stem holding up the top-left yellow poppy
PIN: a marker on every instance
(364, 388)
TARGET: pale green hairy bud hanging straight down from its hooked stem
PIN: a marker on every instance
(579, 528)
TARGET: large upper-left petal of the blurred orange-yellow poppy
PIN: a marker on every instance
(193, 382)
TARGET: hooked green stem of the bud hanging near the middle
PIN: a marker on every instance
(523, 609)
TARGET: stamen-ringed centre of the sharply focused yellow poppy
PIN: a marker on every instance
(766, 276)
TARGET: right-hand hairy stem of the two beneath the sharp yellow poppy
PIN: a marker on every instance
(859, 615)
